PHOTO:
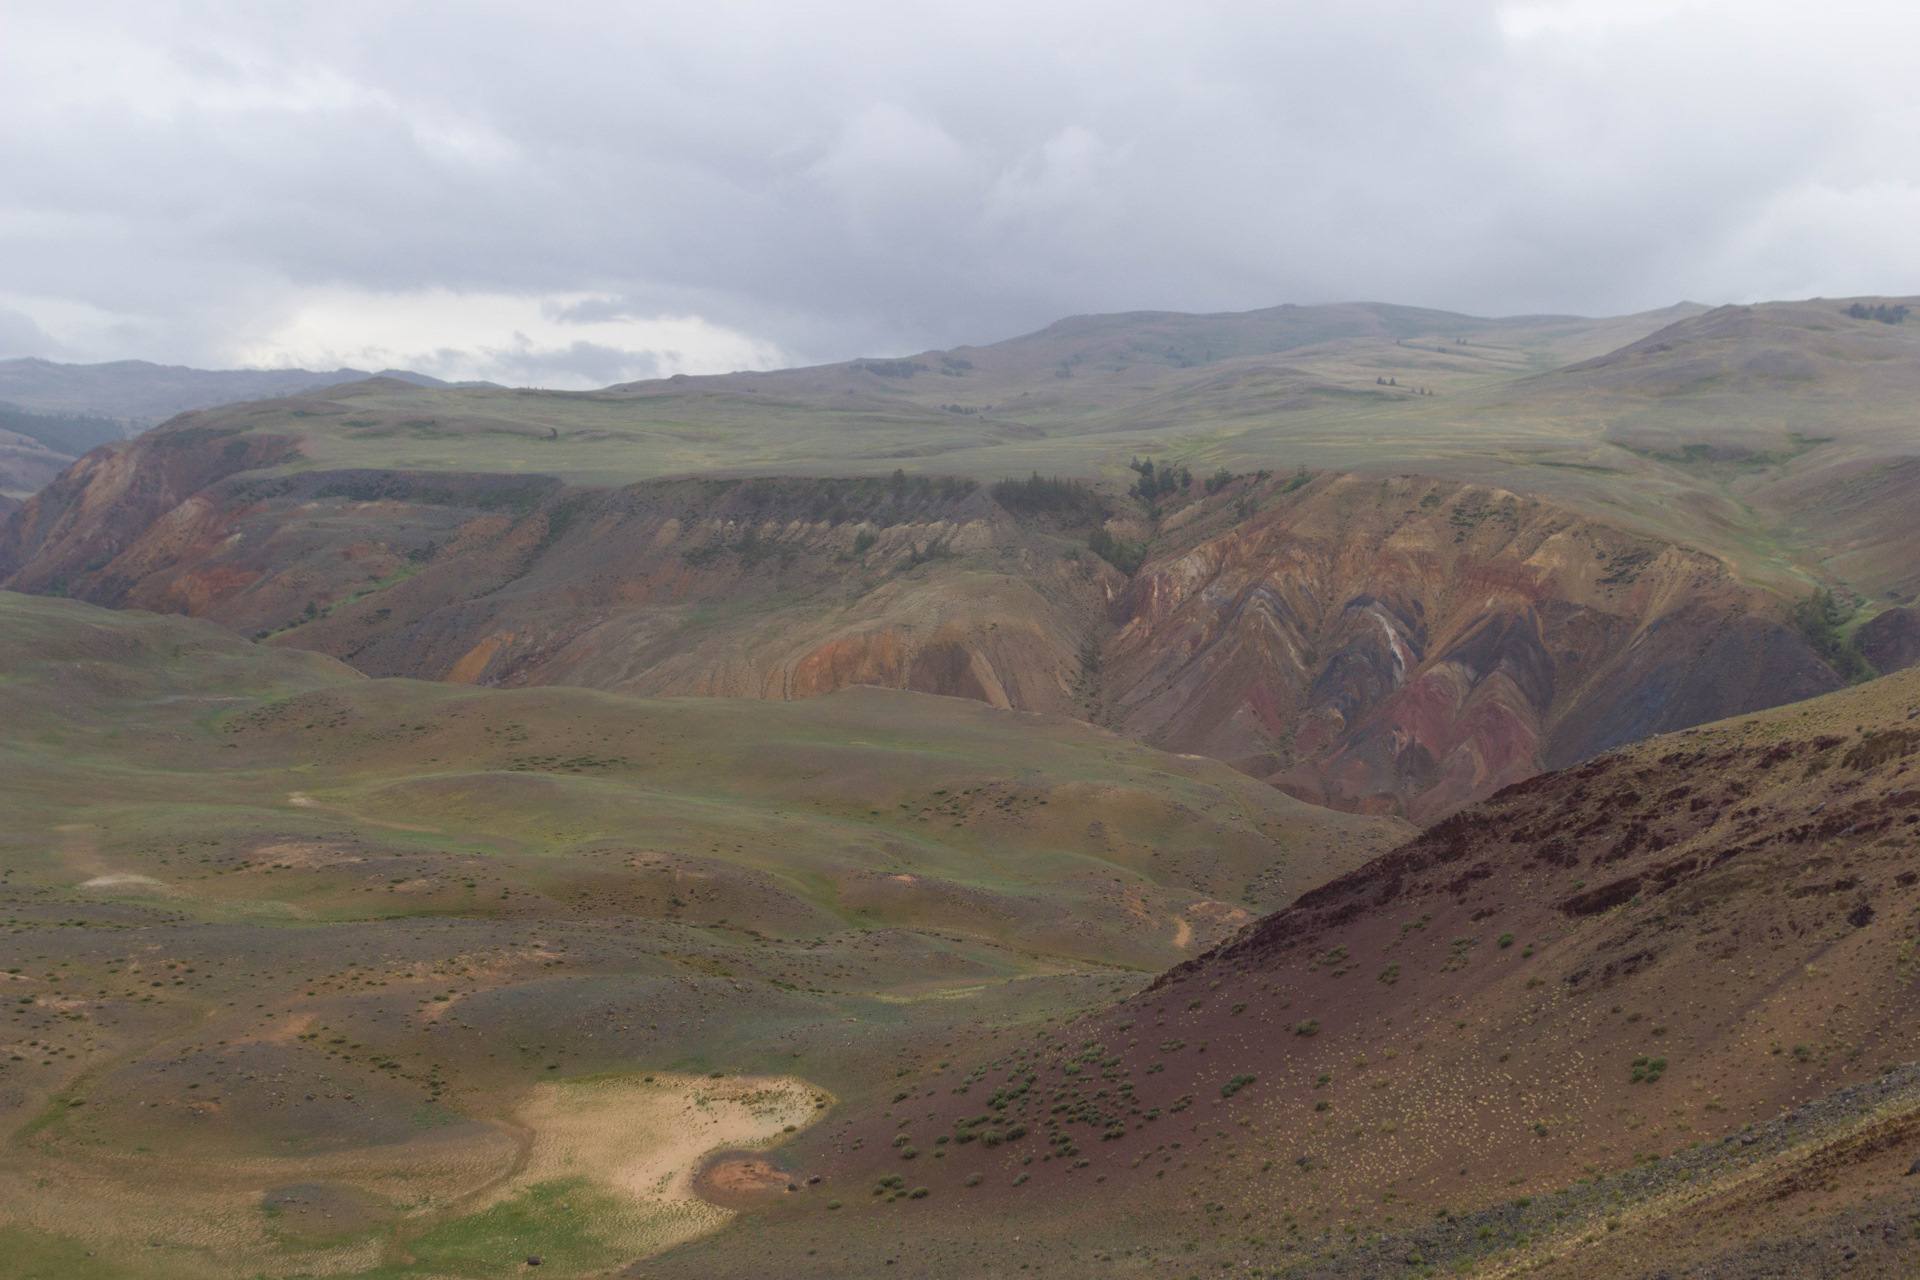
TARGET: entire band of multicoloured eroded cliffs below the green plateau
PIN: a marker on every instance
(1378, 646)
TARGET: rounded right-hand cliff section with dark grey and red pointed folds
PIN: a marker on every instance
(1412, 646)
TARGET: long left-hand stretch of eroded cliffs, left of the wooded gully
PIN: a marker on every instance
(769, 590)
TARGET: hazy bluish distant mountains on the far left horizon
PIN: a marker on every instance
(74, 408)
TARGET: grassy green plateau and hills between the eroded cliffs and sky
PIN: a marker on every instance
(1708, 435)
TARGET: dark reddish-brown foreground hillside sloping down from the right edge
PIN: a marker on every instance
(1625, 959)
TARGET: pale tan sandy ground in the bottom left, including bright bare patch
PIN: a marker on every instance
(635, 1141)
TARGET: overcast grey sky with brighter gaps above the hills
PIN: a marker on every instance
(573, 195)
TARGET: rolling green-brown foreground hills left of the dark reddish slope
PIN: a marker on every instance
(295, 957)
